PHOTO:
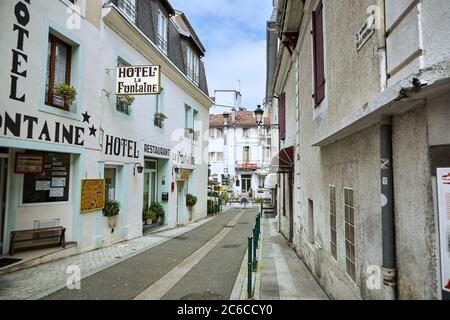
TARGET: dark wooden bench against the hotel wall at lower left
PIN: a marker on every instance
(37, 239)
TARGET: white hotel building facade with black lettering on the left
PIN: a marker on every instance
(147, 151)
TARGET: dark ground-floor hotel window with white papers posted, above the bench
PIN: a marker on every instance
(53, 184)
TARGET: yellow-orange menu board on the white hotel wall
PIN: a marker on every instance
(92, 195)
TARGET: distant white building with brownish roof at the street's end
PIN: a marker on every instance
(239, 152)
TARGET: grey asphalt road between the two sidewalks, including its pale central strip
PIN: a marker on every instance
(212, 276)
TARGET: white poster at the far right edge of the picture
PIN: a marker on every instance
(443, 178)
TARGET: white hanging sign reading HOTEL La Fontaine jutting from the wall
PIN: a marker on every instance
(138, 80)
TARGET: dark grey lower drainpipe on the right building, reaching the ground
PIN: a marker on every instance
(387, 211)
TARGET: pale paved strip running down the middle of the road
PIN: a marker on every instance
(157, 290)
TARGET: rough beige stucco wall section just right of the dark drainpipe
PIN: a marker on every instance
(414, 214)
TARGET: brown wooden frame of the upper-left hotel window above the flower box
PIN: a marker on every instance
(50, 80)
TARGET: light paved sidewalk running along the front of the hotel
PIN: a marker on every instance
(39, 281)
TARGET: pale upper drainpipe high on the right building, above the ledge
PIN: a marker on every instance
(380, 24)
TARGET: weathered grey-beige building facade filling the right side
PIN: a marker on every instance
(363, 112)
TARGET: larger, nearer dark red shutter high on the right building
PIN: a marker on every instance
(319, 67)
